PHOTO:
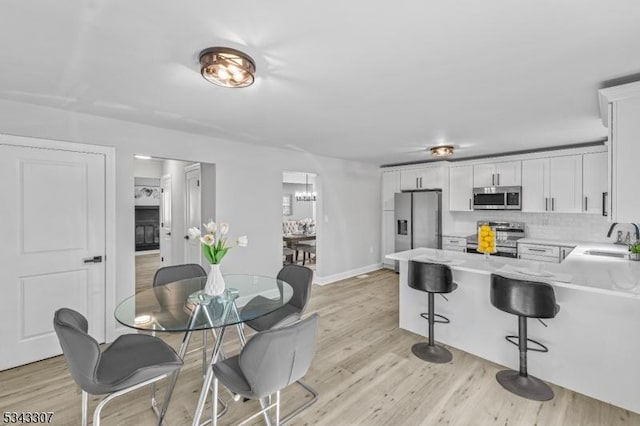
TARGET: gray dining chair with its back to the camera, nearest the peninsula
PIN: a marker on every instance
(270, 361)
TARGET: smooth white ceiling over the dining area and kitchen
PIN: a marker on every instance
(366, 80)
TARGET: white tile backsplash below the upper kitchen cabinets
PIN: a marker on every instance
(556, 226)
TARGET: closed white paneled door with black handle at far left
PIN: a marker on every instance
(53, 220)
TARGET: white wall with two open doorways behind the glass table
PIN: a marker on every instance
(248, 189)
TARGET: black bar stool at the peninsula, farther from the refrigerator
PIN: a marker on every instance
(526, 299)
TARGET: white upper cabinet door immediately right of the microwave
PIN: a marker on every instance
(535, 185)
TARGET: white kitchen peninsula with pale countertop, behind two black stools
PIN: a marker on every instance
(594, 341)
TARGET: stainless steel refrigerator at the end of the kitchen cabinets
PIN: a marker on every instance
(418, 220)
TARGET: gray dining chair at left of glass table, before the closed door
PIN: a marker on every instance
(130, 362)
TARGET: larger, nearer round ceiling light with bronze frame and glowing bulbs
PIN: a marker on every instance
(227, 67)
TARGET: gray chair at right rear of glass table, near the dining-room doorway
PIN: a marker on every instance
(300, 278)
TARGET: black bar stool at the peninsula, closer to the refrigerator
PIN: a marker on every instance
(431, 278)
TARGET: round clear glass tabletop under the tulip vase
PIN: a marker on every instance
(183, 306)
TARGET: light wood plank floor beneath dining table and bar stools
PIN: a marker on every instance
(364, 371)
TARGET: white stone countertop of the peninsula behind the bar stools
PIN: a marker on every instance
(608, 275)
